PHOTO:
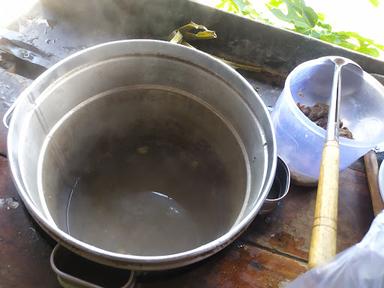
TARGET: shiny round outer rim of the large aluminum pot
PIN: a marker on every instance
(203, 60)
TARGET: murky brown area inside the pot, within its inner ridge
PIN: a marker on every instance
(161, 175)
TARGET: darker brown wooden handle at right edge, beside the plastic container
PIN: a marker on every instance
(372, 170)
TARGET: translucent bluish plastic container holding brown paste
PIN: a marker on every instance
(300, 141)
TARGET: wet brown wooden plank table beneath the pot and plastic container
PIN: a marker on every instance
(272, 251)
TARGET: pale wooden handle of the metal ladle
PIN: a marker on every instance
(324, 229)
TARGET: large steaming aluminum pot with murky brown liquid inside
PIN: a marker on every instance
(142, 154)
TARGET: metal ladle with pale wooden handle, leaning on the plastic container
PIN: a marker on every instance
(324, 229)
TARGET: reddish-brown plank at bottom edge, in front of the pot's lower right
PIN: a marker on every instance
(240, 265)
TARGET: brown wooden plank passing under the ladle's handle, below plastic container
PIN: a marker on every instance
(287, 230)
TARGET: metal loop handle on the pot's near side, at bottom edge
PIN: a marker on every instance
(67, 280)
